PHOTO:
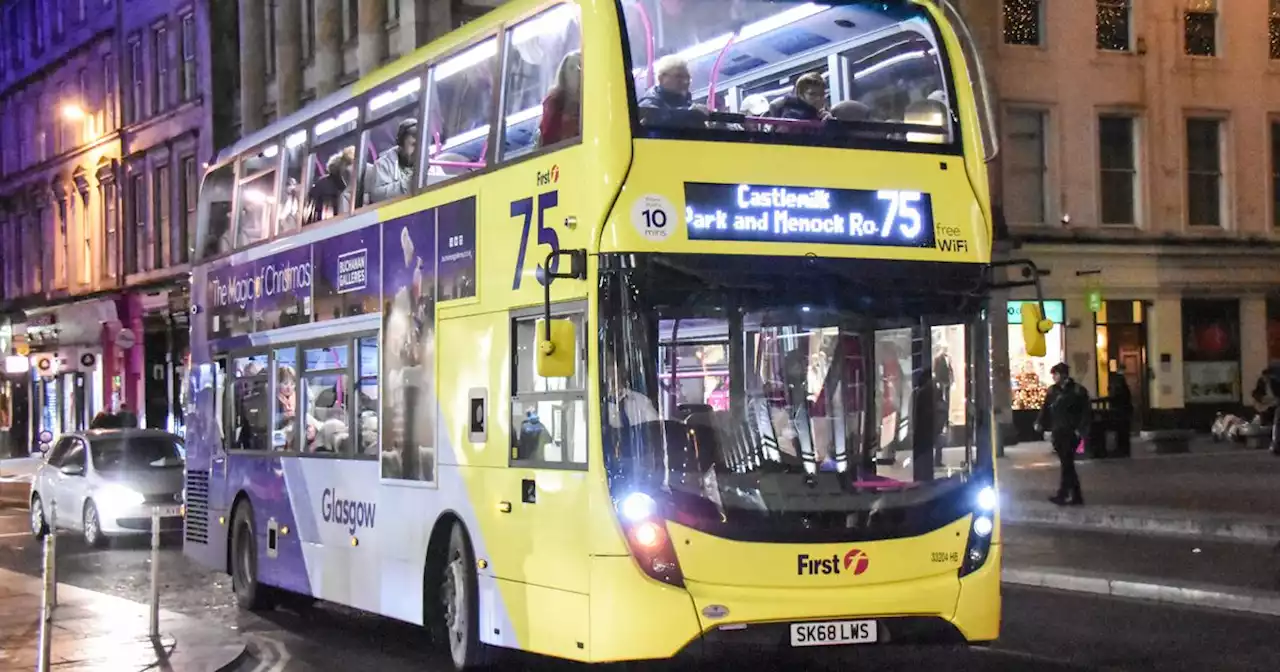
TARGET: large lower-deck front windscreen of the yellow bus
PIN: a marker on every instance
(794, 400)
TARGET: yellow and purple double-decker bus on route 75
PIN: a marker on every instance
(614, 331)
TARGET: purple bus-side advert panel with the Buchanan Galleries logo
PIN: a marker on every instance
(349, 275)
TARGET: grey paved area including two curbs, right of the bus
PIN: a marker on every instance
(1200, 529)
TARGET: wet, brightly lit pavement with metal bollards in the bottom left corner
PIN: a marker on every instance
(102, 633)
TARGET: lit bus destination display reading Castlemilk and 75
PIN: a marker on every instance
(761, 213)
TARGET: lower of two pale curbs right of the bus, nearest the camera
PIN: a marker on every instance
(1236, 600)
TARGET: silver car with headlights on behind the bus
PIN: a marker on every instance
(106, 483)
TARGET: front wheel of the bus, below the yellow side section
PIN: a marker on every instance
(455, 616)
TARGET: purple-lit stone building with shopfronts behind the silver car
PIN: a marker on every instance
(106, 126)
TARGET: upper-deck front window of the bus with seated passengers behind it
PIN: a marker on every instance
(828, 74)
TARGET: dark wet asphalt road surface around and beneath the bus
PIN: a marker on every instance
(1043, 630)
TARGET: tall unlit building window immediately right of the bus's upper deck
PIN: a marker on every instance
(1027, 167)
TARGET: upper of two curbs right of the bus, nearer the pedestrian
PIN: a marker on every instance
(1164, 523)
